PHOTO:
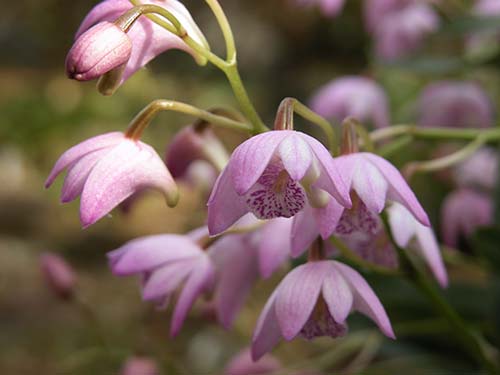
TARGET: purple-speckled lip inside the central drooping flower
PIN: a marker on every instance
(275, 194)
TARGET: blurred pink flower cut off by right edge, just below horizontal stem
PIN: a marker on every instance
(479, 171)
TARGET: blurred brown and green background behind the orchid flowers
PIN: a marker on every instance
(284, 50)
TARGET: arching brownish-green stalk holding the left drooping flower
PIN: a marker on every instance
(142, 120)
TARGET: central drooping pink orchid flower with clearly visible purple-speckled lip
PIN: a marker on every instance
(274, 174)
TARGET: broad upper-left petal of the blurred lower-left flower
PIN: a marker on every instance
(146, 253)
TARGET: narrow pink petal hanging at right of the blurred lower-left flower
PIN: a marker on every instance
(200, 280)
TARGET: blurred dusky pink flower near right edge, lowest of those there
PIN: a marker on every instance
(464, 211)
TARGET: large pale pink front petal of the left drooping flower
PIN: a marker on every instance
(126, 169)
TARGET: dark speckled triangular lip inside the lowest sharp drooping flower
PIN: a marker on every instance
(321, 323)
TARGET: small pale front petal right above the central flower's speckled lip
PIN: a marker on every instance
(296, 156)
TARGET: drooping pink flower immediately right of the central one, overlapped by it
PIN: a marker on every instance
(374, 181)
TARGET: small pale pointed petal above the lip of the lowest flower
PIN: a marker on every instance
(337, 295)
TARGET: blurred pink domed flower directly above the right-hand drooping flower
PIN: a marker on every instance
(359, 97)
